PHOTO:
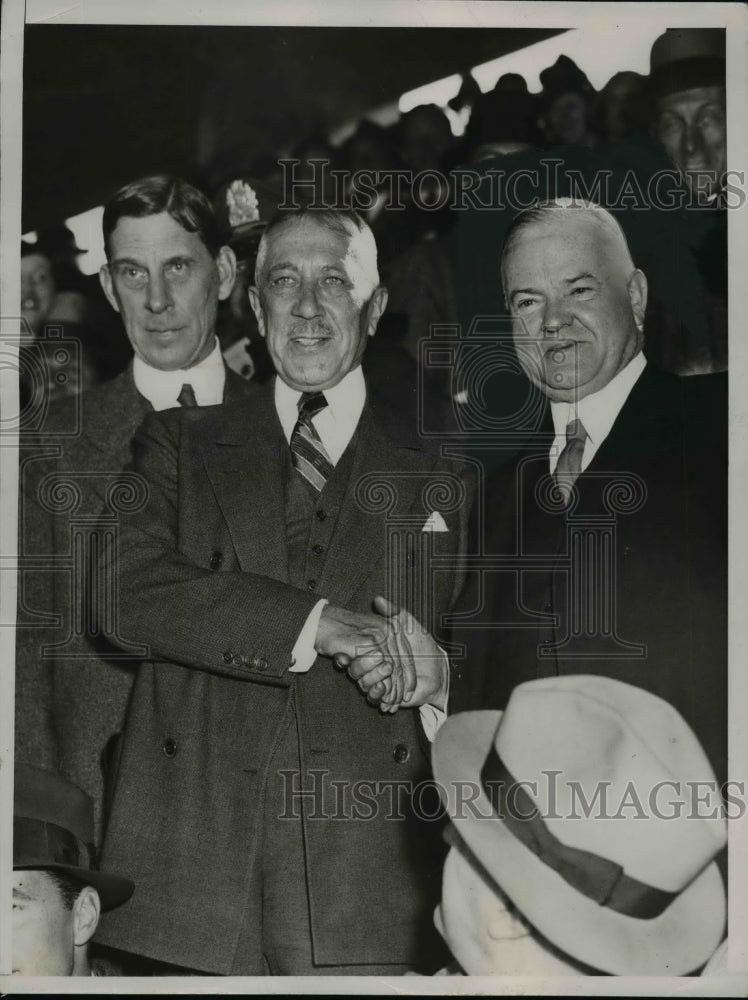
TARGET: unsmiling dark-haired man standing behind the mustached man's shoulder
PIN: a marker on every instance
(165, 274)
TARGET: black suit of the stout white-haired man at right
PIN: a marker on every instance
(665, 544)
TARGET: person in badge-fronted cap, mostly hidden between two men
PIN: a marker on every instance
(243, 208)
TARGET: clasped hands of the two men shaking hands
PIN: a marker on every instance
(390, 655)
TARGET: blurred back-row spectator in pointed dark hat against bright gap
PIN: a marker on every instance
(567, 102)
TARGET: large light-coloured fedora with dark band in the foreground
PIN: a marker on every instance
(626, 895)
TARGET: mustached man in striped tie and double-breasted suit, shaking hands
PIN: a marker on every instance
(271, 816)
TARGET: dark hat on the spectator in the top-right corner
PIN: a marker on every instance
(683, 58)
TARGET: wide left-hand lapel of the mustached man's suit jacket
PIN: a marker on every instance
(245, 462)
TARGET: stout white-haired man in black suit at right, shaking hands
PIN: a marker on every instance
(607, 538)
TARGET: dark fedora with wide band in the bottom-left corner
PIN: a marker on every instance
(53, 831)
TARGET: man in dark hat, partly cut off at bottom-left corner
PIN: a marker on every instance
(58, 893)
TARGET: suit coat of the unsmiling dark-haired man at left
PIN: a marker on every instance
(71, 702)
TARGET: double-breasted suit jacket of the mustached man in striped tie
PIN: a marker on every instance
(205, 582)
